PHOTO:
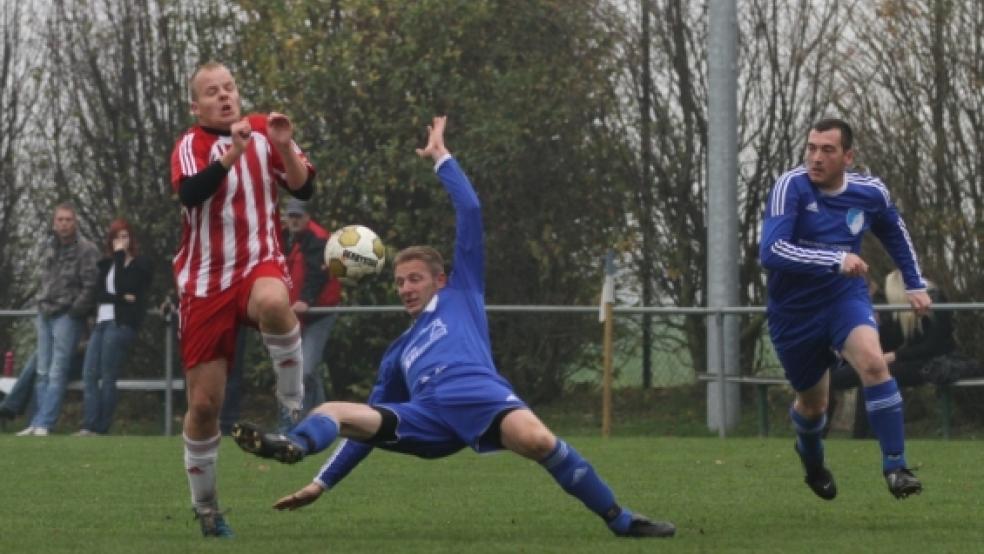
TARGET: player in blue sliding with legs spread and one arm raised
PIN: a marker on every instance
(438, 390)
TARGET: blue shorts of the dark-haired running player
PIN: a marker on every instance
(809, 344)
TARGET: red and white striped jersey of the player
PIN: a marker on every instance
(238, 227)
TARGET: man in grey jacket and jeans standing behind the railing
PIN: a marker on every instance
(66, 296)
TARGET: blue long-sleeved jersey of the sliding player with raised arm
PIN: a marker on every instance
(450, 335)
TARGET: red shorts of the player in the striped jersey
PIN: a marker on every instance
(207, 327)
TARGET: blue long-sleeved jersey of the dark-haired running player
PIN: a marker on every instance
(806, 233)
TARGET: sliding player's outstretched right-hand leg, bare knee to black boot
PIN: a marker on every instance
(523, 433)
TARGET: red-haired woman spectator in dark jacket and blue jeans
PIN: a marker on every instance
(124, 277)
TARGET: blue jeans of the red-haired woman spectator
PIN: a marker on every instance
(108, 347)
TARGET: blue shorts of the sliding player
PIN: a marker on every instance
(455, 409)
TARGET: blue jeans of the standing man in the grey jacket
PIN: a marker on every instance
(57, 338)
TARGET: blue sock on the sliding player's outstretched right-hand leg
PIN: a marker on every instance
(576, 476)
